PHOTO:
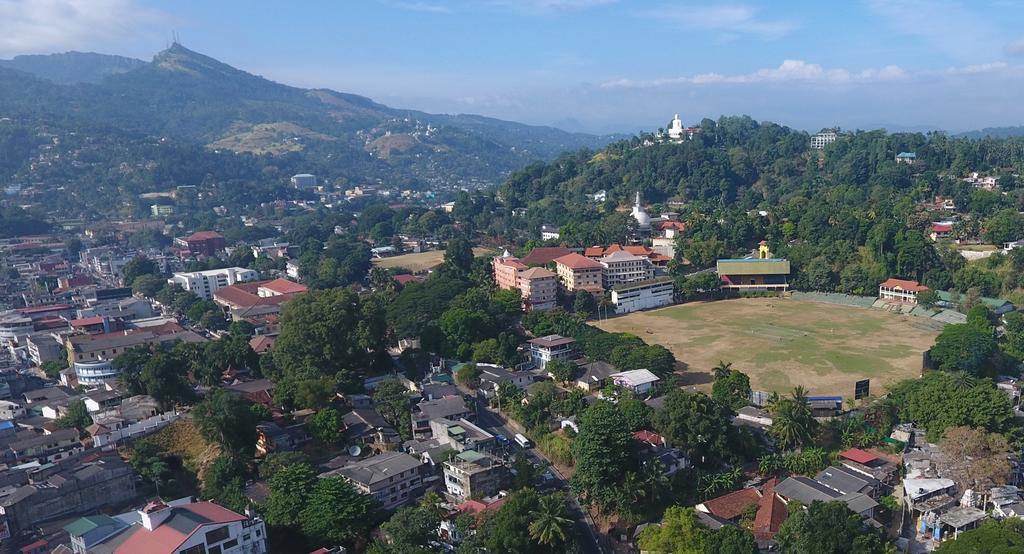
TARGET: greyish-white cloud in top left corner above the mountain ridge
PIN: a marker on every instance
(47, 26)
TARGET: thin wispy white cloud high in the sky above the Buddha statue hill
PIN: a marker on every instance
(737, 19)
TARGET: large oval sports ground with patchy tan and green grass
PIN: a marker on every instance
(782, 343)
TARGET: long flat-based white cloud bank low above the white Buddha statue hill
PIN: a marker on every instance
(790, 70)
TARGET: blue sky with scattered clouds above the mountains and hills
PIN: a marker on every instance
(591, 65)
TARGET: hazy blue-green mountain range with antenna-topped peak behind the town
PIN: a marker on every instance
(186, 96)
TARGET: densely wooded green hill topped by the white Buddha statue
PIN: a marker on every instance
(848, 217)
